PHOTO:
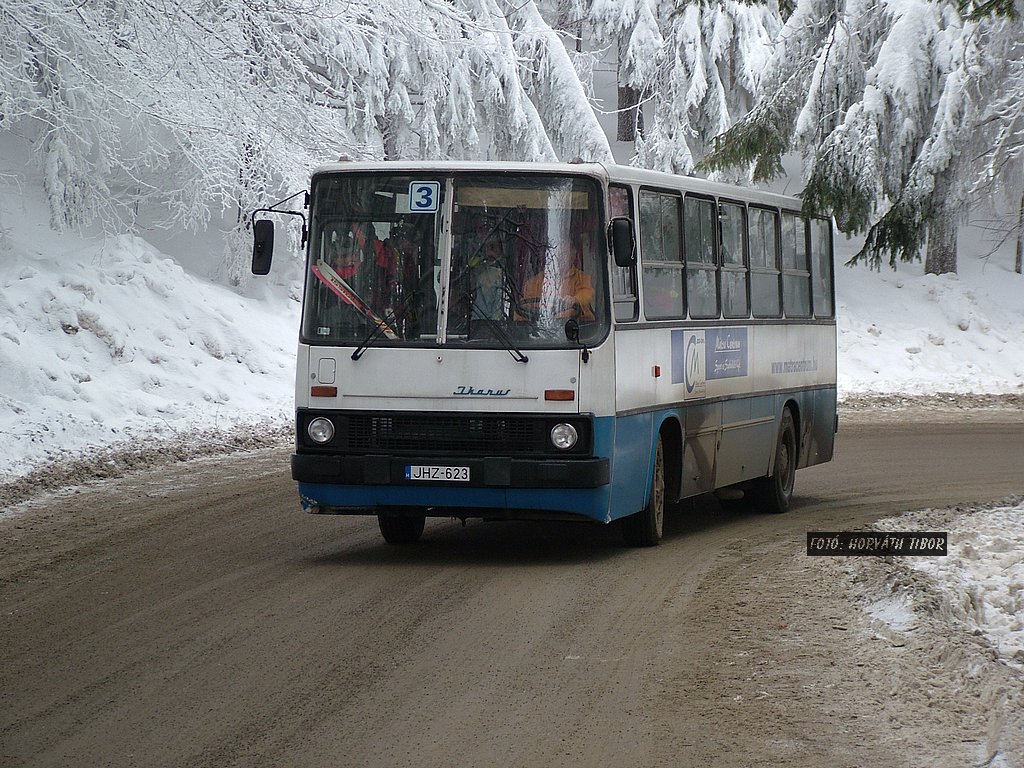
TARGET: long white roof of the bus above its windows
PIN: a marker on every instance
(607, 172)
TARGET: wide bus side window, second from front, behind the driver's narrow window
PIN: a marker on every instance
(661, 251)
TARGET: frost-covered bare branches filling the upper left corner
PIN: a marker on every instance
(183, 107)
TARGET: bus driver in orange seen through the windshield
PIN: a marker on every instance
(562, 288)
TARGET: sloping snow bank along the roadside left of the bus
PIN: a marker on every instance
(117, 343)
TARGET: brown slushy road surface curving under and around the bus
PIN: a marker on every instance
(192, 616)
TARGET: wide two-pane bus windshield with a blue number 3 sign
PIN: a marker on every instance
(525, 258)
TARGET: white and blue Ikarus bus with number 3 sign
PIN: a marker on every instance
(556, 342)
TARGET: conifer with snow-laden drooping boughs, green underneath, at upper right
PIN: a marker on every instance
(882, 101)
